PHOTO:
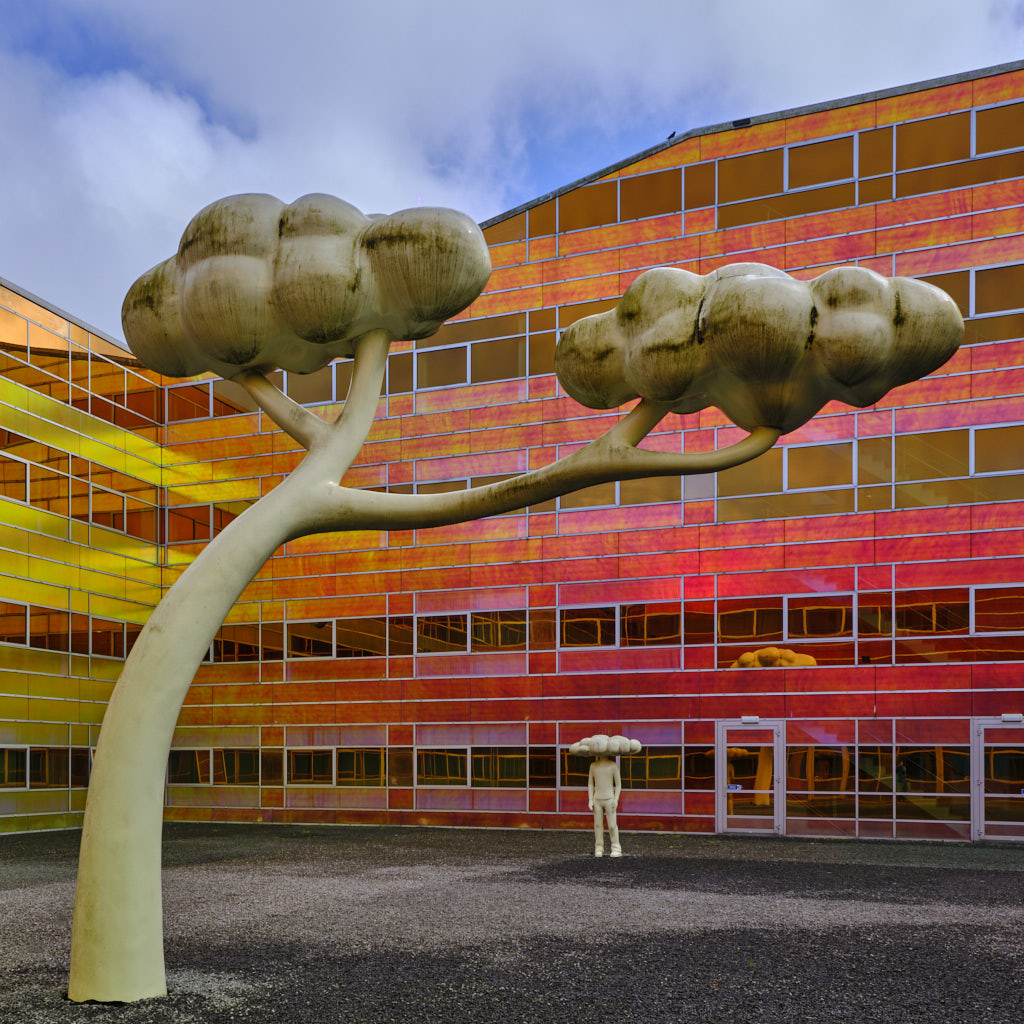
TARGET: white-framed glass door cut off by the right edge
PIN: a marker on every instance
(998, 780)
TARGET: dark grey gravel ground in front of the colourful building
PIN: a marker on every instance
(309, 924)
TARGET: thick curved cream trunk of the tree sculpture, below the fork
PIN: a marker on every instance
(117, 935)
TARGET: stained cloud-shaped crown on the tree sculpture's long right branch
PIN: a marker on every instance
(765, 349)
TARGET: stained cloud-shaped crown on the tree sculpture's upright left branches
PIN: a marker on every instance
(259, 284)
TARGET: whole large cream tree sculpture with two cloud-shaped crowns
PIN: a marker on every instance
(258, 285)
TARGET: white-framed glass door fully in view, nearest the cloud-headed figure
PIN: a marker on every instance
(748, 778)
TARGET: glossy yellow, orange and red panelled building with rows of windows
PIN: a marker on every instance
(437, 677)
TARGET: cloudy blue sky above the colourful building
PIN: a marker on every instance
(121, 119)
